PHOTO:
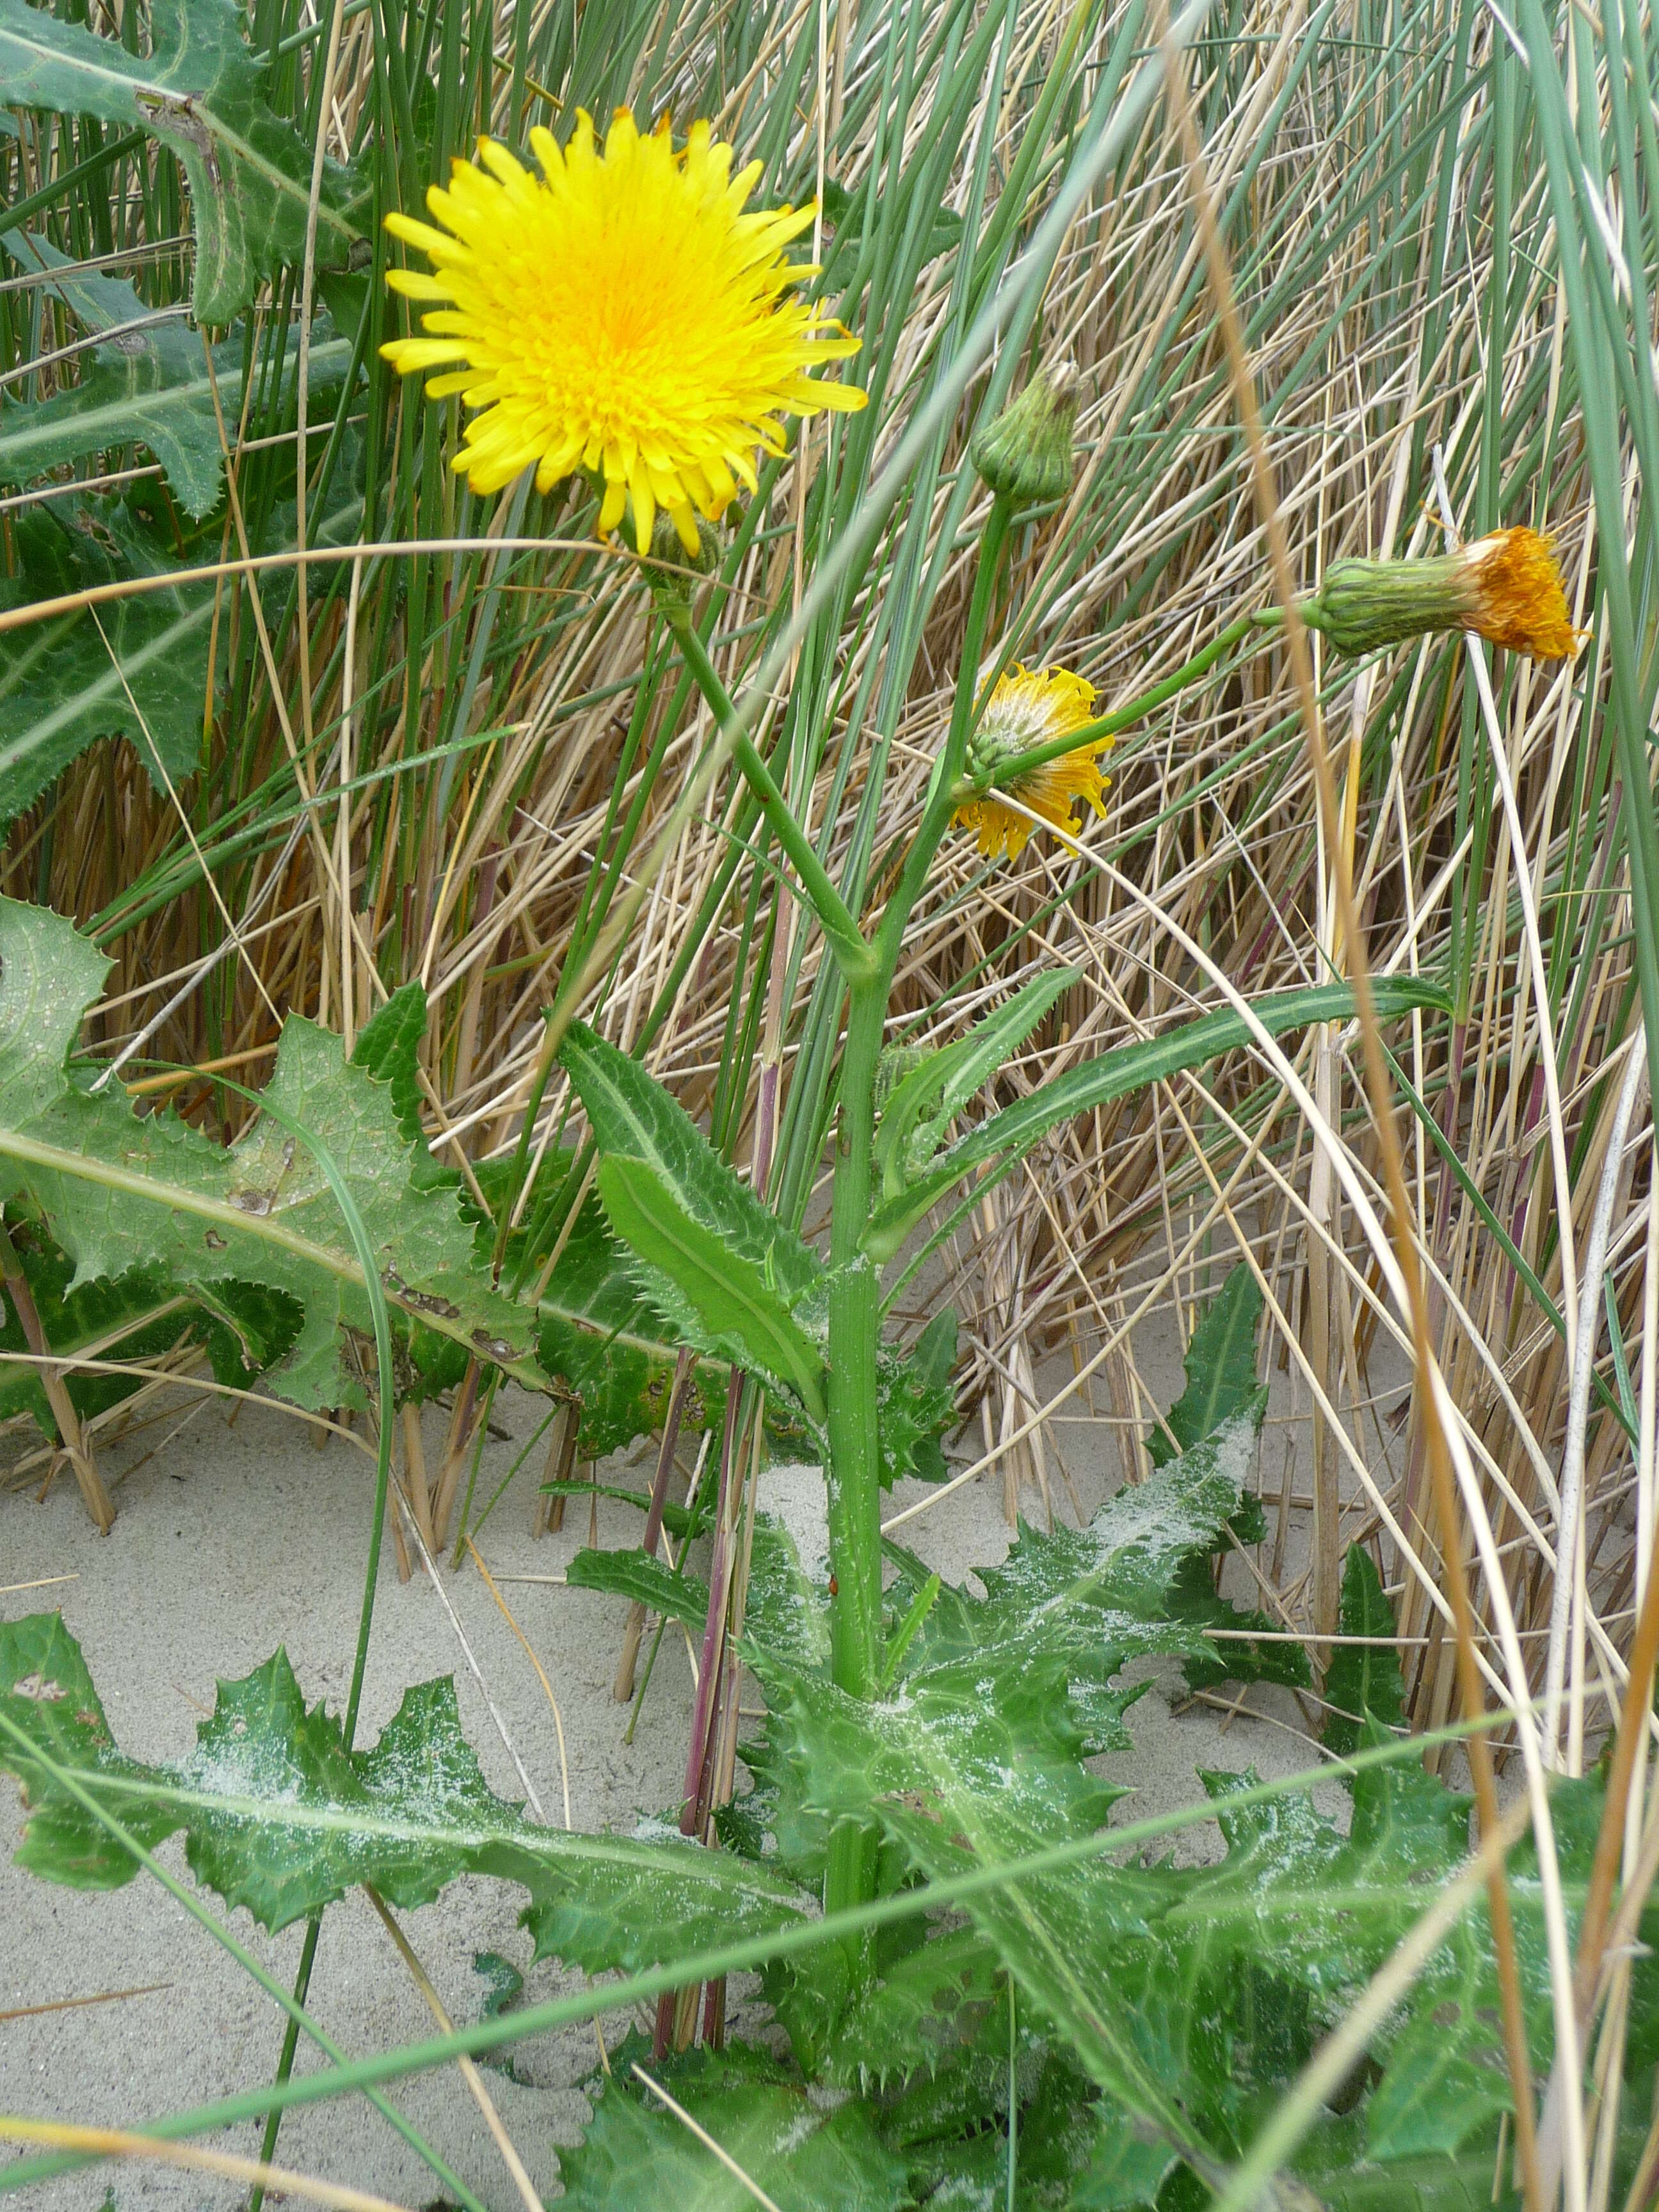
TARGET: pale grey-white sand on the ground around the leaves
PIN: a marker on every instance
(244, 1536)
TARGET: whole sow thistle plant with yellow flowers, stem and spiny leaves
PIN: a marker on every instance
(981, 2001)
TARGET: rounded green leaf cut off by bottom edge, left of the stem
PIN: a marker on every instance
(804, 2151)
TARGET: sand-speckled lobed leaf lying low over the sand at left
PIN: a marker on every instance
(280, 1817)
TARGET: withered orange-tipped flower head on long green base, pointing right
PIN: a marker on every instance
(1505, 587)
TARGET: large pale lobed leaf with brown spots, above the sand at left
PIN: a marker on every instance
(123, 1191)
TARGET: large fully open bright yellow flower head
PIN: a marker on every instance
(620, 313)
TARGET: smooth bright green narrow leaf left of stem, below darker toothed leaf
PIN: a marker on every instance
(720, 1300)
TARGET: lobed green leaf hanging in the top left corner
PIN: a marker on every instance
(200, 92)
